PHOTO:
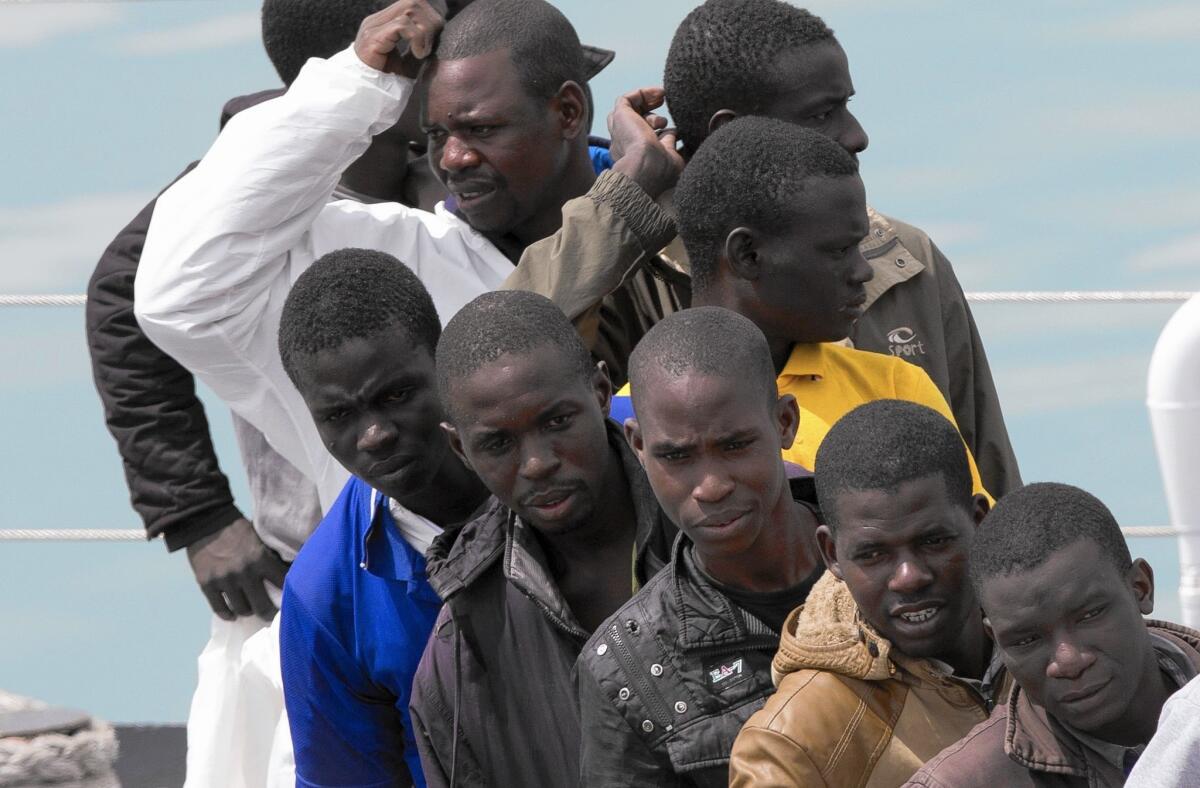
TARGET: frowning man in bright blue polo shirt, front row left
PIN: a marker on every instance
(357, 336)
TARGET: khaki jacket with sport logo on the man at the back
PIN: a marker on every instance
(617, 268)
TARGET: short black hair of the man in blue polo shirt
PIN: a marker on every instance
(353, 294)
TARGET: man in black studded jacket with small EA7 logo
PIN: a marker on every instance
(668, 681)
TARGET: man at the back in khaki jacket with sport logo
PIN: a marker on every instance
(734, 58)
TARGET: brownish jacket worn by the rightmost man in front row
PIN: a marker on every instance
(1023, 747)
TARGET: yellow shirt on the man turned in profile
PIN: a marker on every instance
(830, 381)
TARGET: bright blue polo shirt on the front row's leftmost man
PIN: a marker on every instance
(357, 613)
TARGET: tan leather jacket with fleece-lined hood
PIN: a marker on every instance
(851, 711)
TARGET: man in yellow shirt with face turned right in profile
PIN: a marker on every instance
(772, 215)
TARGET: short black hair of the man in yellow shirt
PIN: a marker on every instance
(751, 172)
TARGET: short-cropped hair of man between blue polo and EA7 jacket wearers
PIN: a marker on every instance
(501, 323)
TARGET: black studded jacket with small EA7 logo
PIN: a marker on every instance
(668, 682)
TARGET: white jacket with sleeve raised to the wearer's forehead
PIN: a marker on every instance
(230, 240)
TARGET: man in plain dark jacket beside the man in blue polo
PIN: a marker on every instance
(572, 531)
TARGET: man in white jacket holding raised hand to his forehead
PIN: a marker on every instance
(507, 117)
